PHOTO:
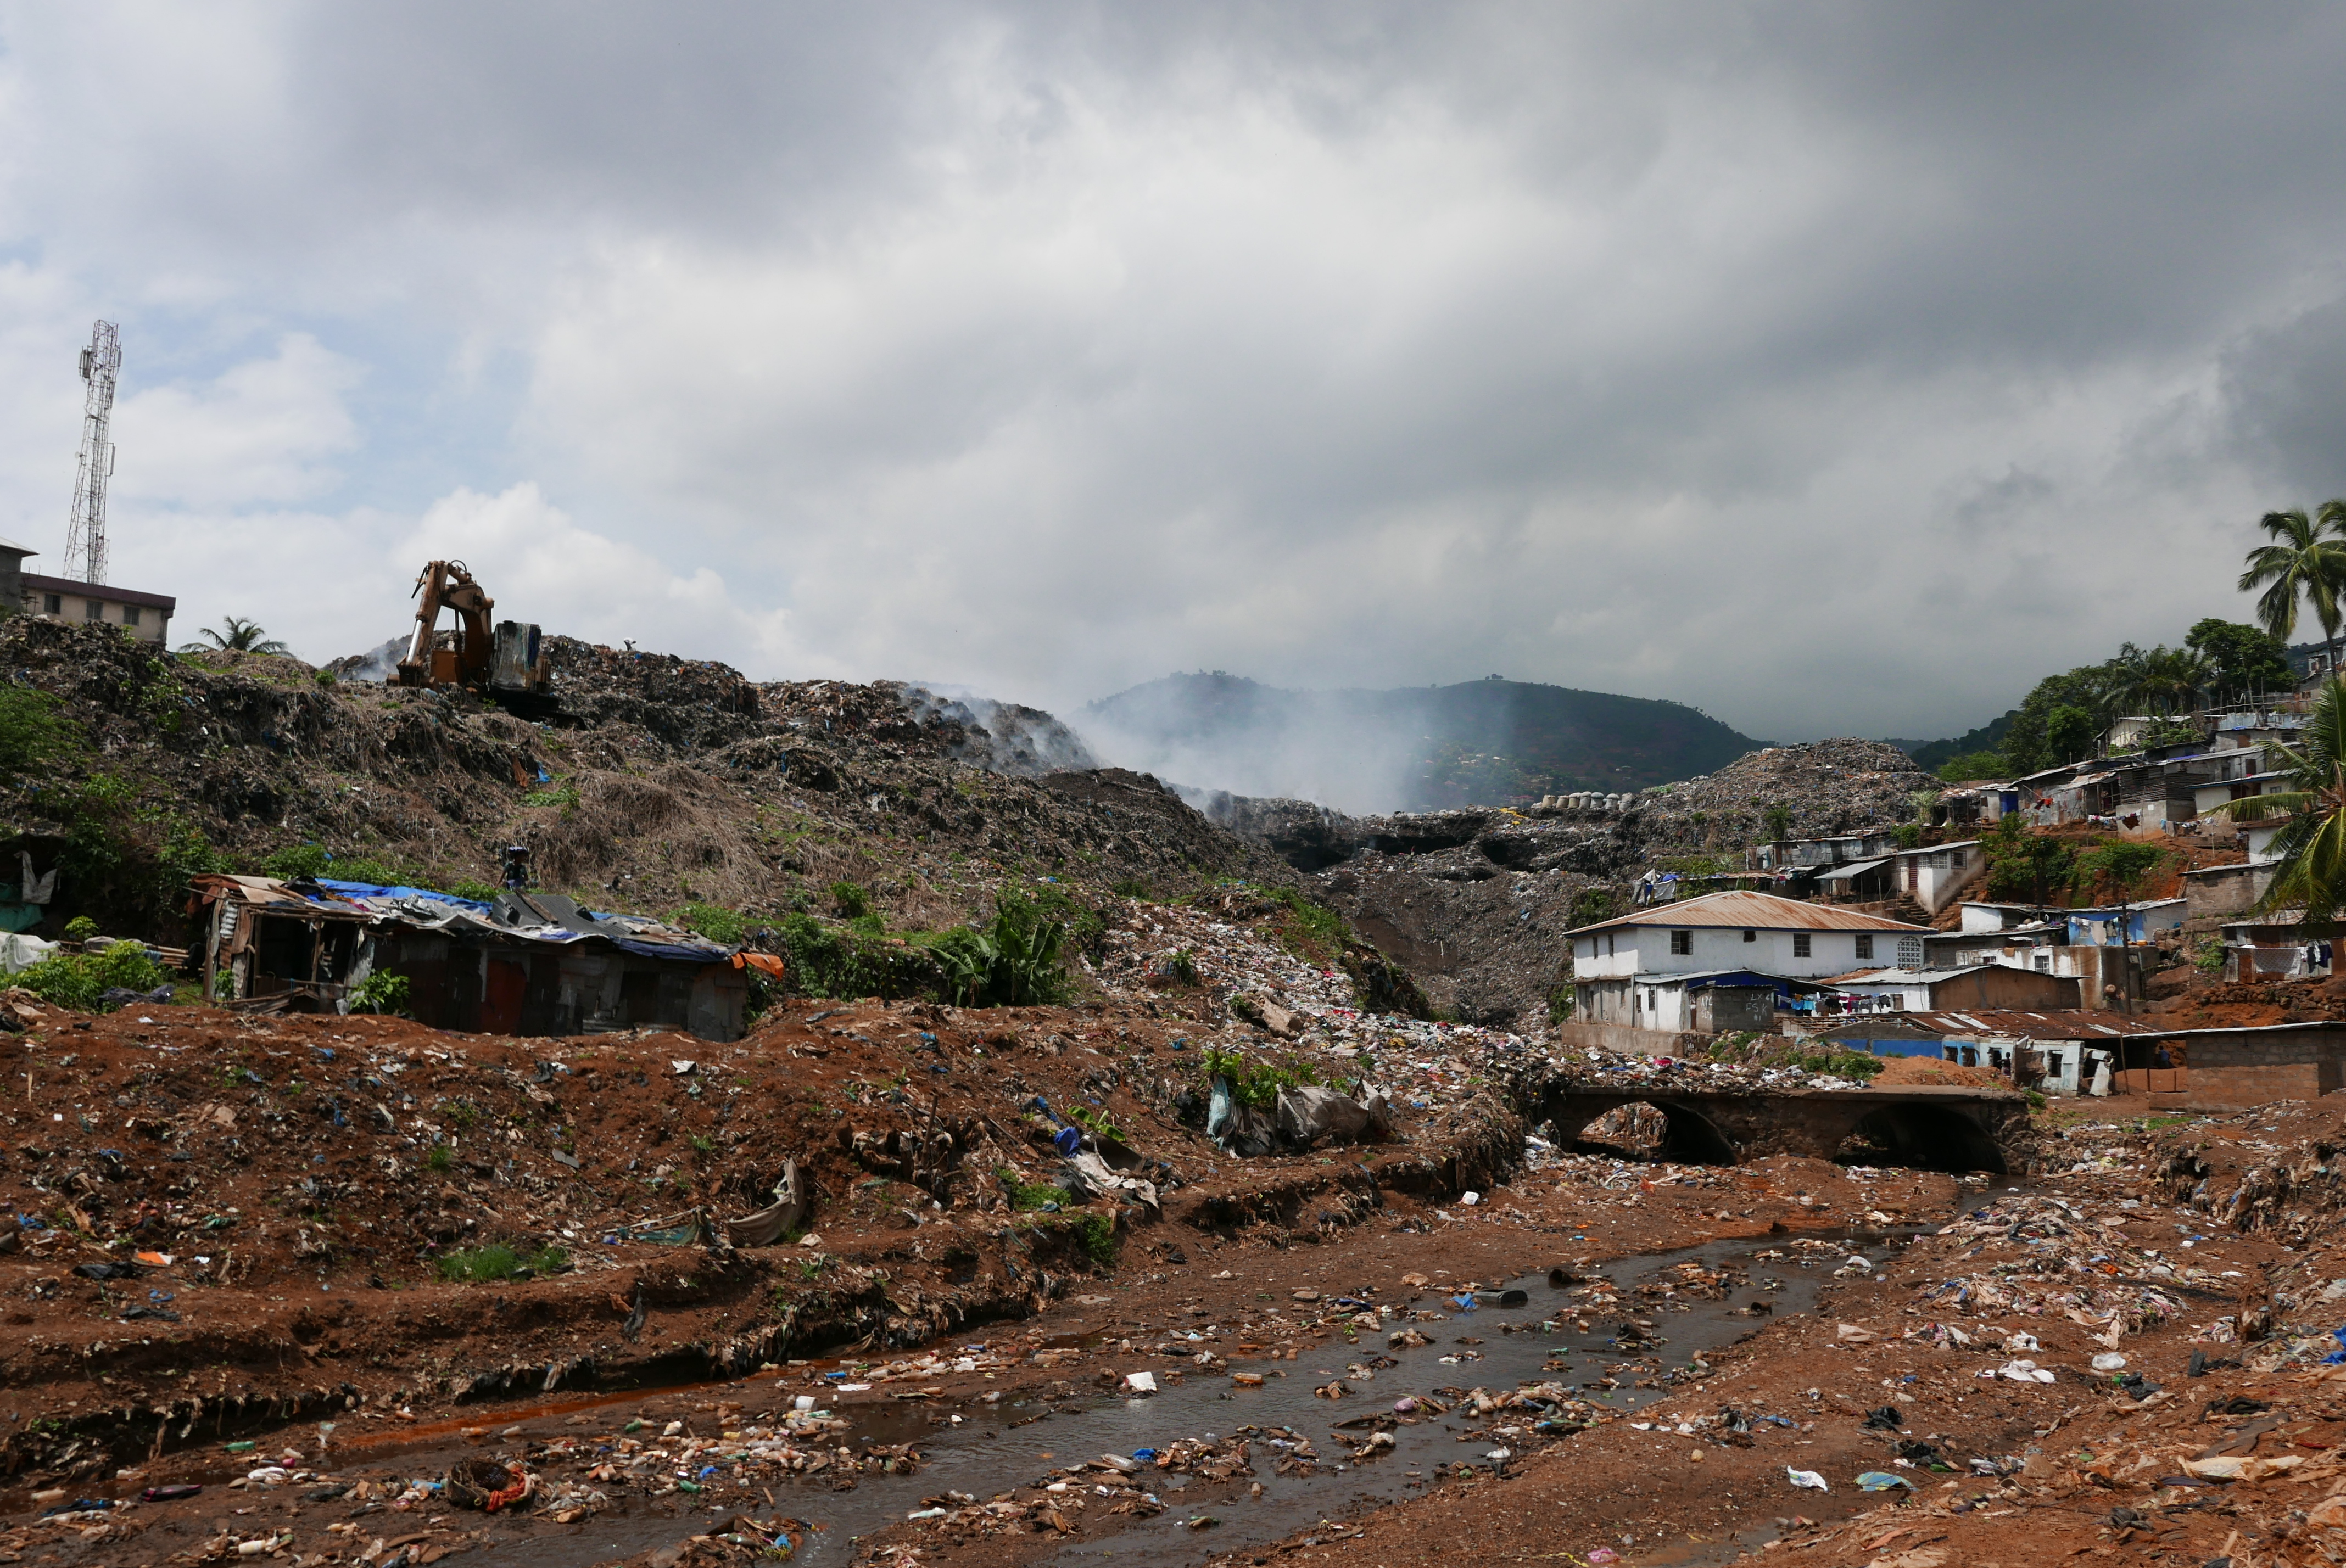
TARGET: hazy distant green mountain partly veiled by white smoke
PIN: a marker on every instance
(1477, 744)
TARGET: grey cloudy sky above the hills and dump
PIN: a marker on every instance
(1833, 369)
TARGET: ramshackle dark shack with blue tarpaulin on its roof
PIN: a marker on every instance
(531, 964)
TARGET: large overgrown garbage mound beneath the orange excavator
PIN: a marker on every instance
(649, 782)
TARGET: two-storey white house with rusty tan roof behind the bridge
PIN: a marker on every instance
(1634, 969)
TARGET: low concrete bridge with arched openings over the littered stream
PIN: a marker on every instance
(1934, 1129)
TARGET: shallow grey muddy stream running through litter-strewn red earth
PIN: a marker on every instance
(1005, 1445)
